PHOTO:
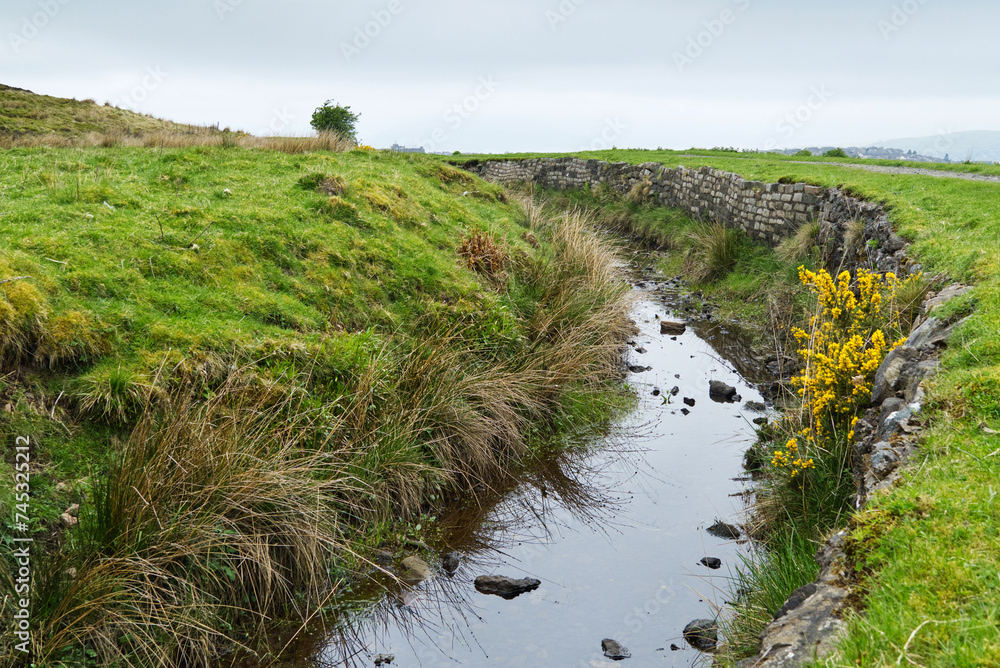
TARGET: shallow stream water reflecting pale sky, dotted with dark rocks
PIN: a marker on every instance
(615, 530)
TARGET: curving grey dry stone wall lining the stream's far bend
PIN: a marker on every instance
(853, 232)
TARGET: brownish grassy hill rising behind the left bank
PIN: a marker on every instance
(23, 112)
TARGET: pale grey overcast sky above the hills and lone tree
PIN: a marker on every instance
(527, 75)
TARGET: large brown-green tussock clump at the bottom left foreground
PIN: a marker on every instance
(215, 513)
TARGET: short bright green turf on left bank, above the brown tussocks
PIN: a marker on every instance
(106, 236)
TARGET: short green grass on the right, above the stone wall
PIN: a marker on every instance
(931, 567)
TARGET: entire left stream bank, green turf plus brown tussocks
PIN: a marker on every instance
(243, 363)
